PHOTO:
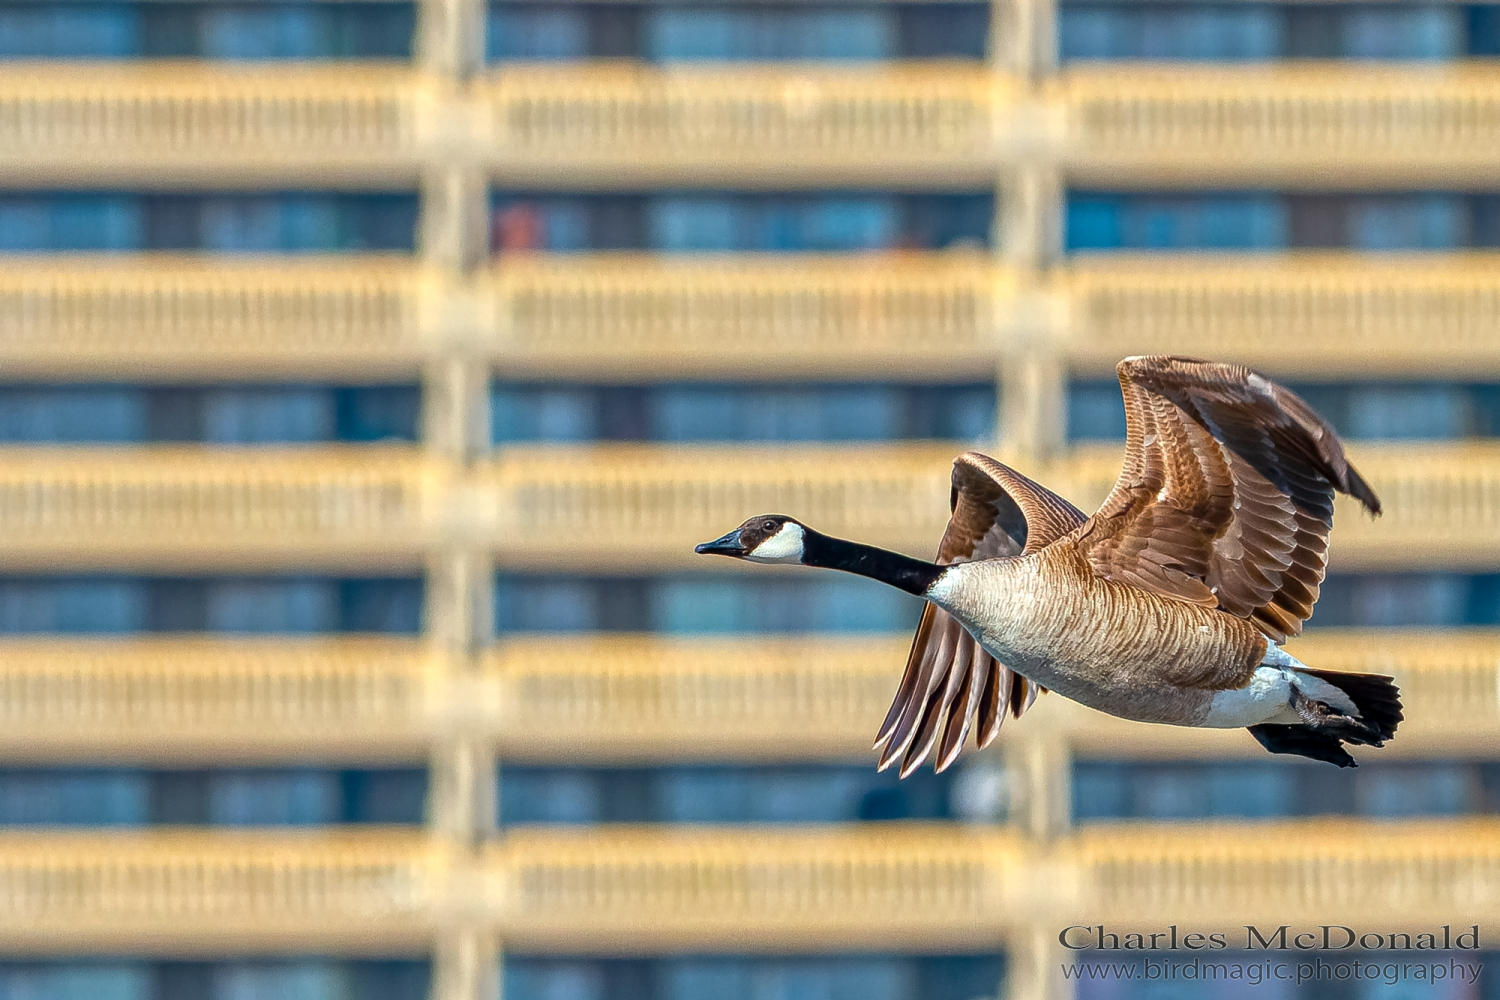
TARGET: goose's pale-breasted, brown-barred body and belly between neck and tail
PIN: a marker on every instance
(1118, 650)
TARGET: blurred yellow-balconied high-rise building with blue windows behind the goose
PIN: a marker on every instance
(371, 368)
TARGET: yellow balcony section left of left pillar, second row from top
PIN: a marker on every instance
(182, 317)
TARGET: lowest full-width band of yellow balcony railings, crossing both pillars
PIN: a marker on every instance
(736, 890)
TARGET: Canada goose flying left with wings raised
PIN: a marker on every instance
(1168, 606)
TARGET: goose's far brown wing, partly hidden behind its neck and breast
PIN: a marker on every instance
(950, 681)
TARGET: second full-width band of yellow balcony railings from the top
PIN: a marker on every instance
(619, 317)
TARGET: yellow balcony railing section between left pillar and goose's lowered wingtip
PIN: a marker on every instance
(611, 698)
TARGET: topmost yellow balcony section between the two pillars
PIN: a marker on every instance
(761, 127)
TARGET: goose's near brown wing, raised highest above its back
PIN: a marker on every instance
(1226, 497)
